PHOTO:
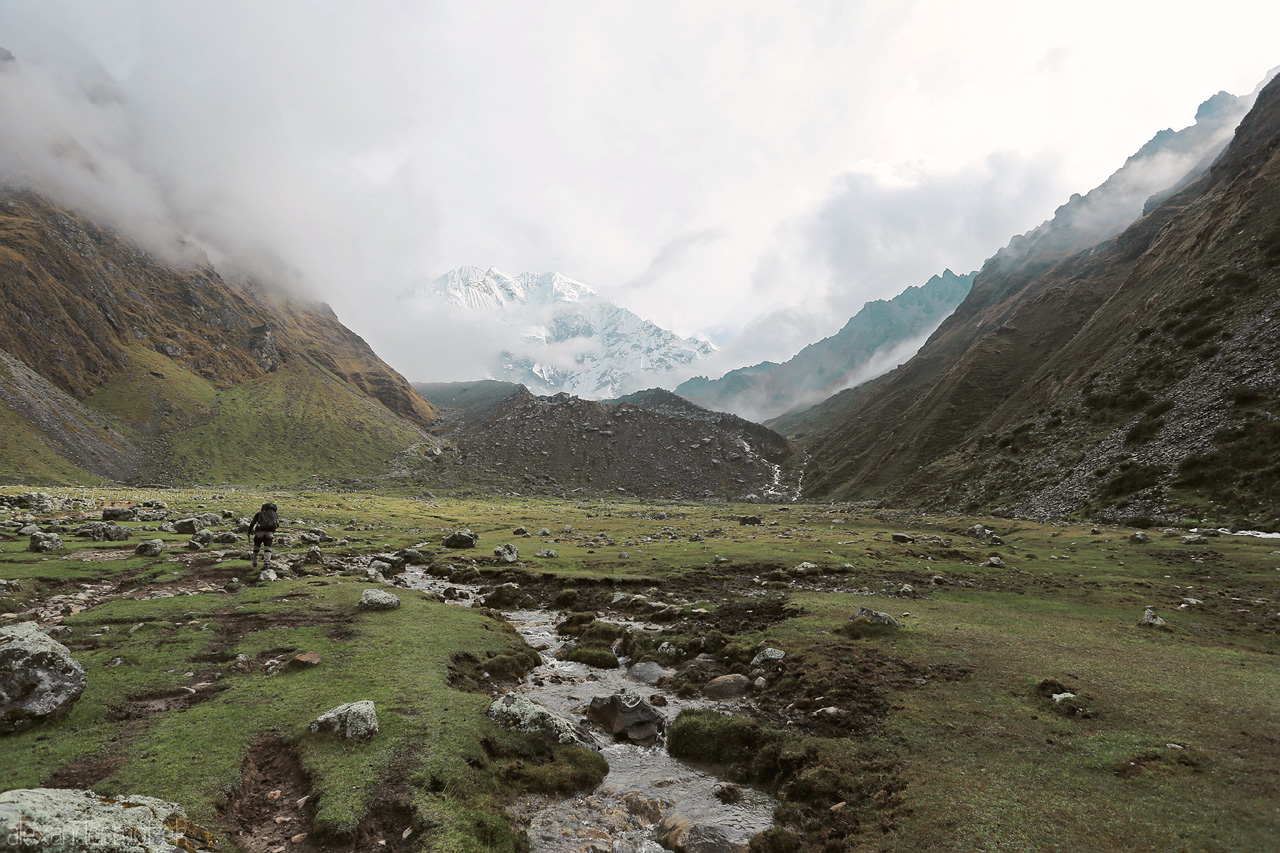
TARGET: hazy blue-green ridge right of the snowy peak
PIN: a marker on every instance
(845, 359)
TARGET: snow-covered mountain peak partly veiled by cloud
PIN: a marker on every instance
(565, 336)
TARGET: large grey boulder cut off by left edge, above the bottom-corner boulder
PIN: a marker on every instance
(39, 678)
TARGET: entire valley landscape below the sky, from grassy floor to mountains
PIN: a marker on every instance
(1020, 592)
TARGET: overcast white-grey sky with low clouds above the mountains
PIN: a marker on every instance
(747, 172)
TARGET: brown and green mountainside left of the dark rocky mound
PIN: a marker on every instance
(130, 368)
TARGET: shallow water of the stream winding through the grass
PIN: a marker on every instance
(644, 783)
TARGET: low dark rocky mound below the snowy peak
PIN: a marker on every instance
(651, 444)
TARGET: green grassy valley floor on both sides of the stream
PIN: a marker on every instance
(948, 733)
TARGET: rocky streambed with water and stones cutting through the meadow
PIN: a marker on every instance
(650, 801)
